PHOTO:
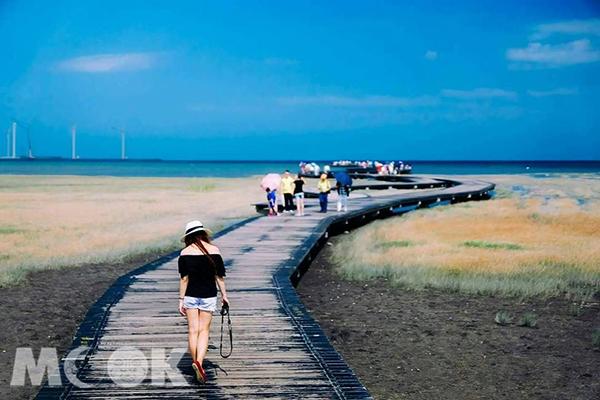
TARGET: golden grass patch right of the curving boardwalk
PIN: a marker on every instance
(537, 236)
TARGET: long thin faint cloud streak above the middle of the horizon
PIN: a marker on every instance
(368, 101)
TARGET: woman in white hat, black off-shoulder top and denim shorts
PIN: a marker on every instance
(202, 269)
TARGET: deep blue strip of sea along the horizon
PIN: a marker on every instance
(245, 168)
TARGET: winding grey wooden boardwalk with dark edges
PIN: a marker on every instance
(279, 350)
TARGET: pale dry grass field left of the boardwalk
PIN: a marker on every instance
(58, 221)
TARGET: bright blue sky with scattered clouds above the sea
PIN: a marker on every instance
(308, 80)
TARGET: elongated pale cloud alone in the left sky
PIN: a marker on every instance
(109, 62)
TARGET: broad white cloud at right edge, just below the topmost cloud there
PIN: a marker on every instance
(553, 56)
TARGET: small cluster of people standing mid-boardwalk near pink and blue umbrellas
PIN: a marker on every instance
(293, 188)
